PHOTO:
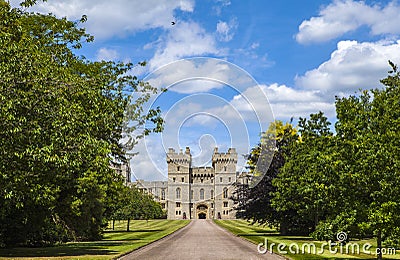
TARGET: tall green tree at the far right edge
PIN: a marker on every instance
(368, 130)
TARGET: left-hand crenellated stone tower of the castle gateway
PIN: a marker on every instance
(179, 165)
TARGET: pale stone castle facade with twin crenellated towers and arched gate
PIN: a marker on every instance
(196, 192)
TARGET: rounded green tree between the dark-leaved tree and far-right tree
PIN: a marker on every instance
(306, 182)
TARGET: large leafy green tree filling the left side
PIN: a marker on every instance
(61, 120)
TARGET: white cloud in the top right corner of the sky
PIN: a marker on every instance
(344, 16)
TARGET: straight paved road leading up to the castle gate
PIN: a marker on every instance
(201, 239)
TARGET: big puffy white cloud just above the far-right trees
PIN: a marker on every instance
(352, 66)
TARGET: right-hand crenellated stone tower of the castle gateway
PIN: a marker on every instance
(224, 165)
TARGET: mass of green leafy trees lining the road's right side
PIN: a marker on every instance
(344, 182)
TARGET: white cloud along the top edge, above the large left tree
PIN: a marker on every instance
(118, 17)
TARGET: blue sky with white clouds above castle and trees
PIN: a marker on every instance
(295, 54)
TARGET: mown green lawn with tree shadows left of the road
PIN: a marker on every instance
(116, 242)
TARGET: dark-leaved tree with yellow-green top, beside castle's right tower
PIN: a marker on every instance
(254, 203)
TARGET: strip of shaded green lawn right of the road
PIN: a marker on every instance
(257, 234)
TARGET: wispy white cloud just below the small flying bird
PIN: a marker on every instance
(183, 40)
